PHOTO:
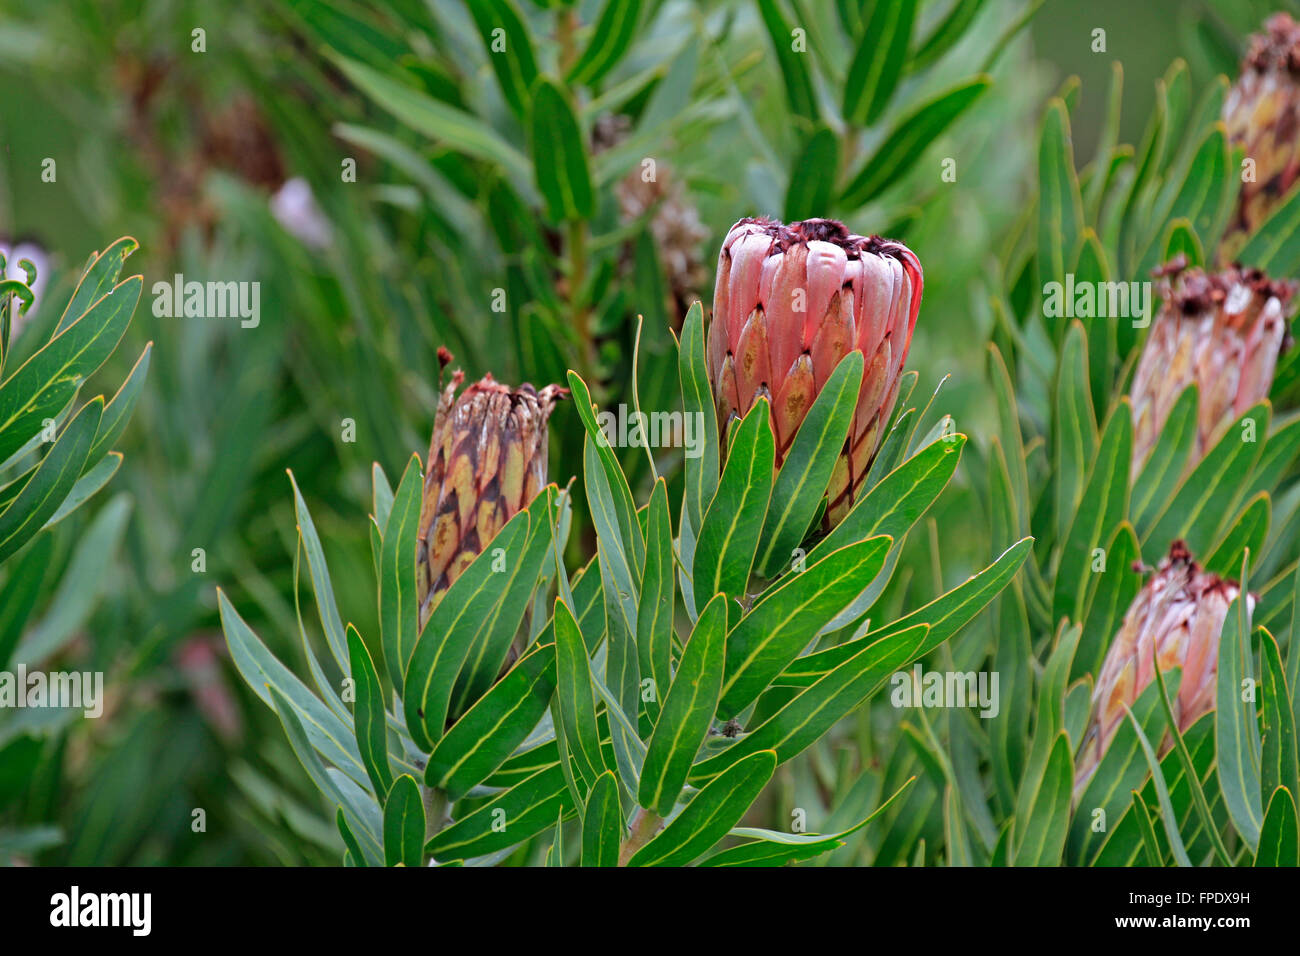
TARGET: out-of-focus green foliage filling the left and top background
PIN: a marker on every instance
(231, 163)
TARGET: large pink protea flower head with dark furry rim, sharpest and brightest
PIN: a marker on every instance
(791, 301)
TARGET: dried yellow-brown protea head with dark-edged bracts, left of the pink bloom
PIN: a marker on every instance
(487, 464)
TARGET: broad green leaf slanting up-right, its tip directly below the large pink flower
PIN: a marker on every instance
(778, 629)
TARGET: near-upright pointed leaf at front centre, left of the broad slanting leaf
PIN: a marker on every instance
(688, 712)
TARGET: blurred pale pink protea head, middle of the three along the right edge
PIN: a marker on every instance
(1221, 332)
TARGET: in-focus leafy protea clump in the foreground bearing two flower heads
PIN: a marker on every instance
(651, 697)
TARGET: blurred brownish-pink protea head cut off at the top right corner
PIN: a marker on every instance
(1262, 114)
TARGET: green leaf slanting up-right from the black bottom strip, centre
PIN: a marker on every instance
(710, 815)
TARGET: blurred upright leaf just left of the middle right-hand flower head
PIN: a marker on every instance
(1102, 507)
